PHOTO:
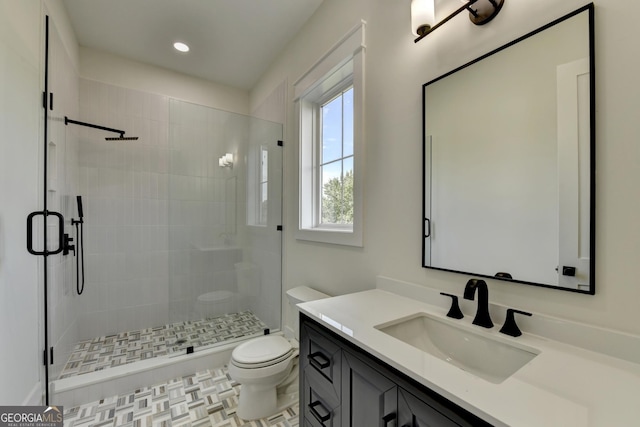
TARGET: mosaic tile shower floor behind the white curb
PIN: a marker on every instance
(132, 346)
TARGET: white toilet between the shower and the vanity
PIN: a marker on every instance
(267, 367)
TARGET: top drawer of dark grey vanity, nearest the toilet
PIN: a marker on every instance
(322, 355)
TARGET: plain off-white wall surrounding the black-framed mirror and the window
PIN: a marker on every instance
(396, 68)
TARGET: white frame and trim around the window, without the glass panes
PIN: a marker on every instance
(342, 66)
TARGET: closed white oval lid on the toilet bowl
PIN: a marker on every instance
(263, 350)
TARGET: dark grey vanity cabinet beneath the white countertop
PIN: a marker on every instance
(342, 385)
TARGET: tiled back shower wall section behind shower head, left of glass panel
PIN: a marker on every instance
(125, 191)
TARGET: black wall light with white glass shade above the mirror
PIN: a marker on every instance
(423, 14)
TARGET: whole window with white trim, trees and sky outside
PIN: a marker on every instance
(329, 99)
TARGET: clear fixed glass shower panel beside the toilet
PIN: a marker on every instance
(225, 195)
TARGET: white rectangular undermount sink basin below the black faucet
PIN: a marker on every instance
(490, 357)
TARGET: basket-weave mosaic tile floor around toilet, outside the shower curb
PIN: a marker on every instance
(207, 398)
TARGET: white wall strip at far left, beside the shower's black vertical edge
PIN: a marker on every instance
(20, 122)
